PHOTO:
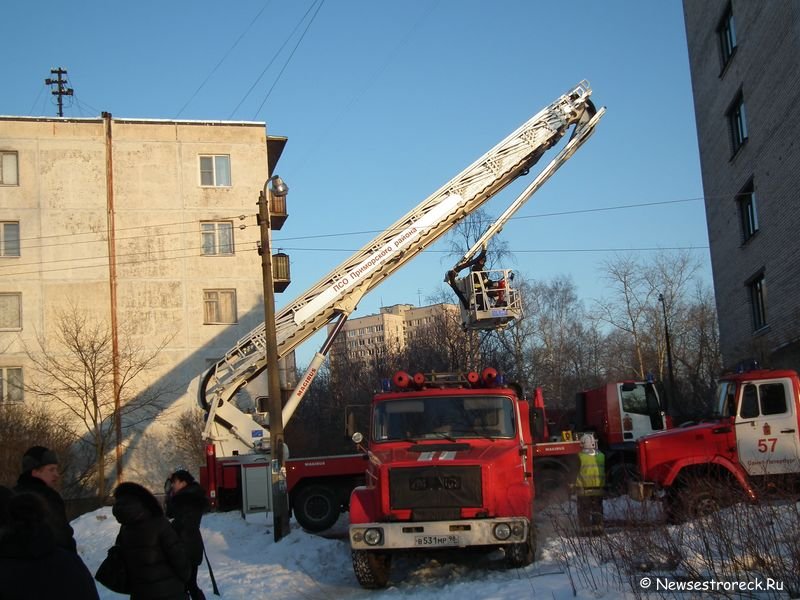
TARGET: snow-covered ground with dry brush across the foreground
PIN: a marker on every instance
(248, 565)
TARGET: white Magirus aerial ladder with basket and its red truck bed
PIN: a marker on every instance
(240, 452)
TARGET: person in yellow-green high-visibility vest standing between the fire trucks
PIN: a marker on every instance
(589, 486)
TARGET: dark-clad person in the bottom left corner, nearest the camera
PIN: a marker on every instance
(31, 564)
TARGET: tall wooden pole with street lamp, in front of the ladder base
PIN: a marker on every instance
(274, 190)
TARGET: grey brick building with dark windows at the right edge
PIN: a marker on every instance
(745, 68)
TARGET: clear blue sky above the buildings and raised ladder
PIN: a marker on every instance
(383, 102)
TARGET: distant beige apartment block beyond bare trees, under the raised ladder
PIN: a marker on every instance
(367, 338)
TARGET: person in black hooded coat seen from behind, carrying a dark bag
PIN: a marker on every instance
(154, 556)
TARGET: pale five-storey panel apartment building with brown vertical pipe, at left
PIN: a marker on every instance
(146, 223)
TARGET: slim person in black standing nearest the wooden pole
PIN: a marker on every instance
(186, 503)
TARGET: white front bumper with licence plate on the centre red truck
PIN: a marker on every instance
(439, 534)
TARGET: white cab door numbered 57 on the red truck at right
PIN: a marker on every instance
(766, 428)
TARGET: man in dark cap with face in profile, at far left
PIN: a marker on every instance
(40, 476)
